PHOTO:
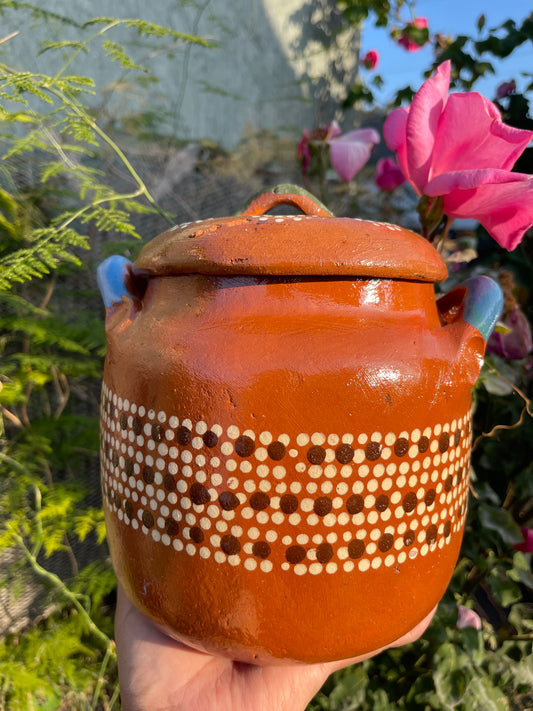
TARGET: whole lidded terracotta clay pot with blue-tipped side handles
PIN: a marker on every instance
(286, 430)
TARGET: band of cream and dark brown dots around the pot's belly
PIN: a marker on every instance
(305, 502)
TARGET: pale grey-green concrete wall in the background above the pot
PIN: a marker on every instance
(266, 71)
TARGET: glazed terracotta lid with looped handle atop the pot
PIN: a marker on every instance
(313, 243)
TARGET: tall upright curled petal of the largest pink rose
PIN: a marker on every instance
(423, 122)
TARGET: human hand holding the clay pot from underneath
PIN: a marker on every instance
(156, 673)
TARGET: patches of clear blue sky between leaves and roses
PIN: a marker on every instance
(399, 68)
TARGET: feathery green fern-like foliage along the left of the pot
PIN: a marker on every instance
(51, 353)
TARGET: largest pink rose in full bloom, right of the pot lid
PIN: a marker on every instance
(457, 147)
